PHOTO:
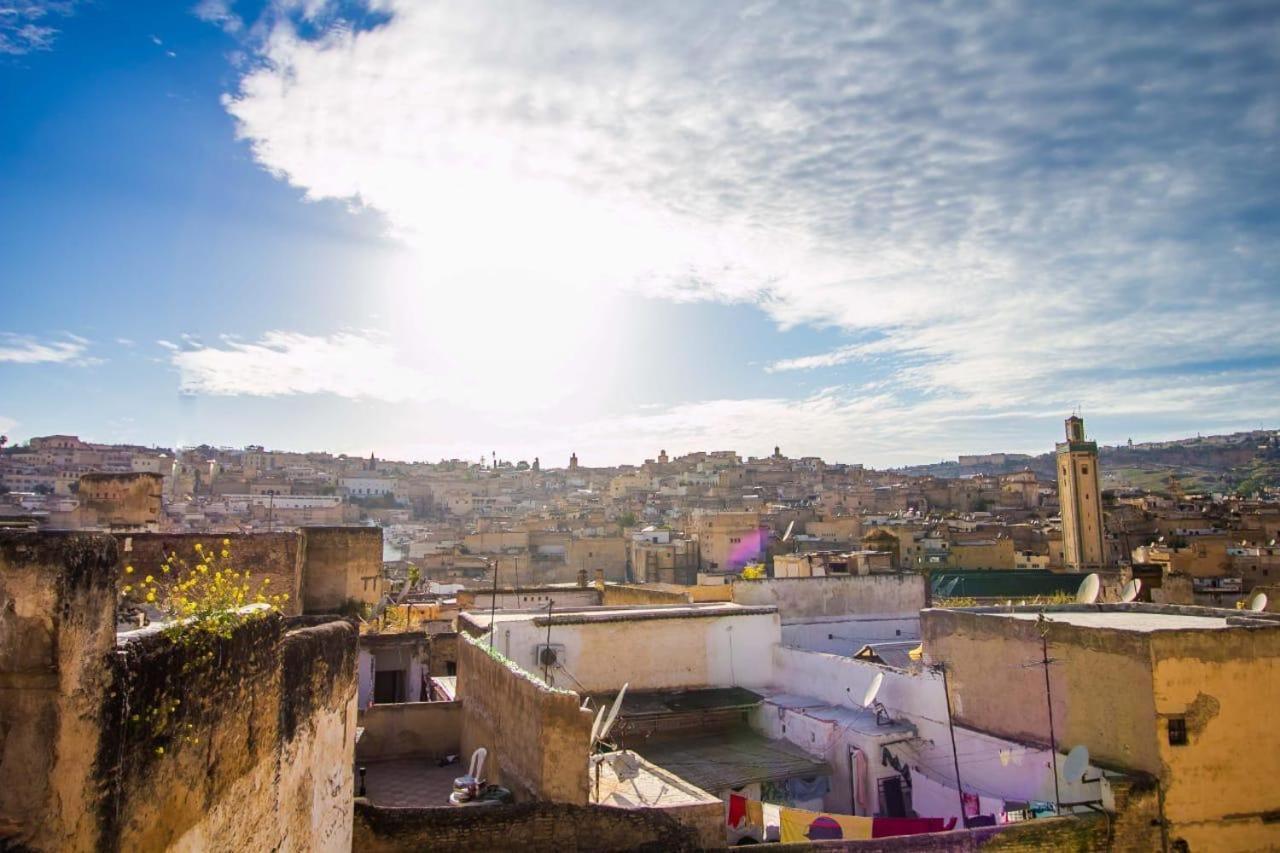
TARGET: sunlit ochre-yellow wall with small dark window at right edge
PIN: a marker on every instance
(1223, 683)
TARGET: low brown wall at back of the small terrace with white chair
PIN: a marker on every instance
(410, 731)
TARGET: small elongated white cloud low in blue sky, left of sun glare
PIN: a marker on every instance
(346, 364)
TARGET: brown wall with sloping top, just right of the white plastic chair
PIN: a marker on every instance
(537, 737)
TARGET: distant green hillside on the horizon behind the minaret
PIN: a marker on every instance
(1242, 463)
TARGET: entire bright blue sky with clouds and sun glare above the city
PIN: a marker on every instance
(875, 232)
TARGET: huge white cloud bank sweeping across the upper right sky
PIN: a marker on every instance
(1003, 207)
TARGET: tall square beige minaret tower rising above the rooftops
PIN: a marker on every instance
(1080, 496)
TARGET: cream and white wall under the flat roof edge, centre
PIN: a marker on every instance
(671, 653)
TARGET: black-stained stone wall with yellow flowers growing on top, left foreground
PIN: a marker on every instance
(153, 741)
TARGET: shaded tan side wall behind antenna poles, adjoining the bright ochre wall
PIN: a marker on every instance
(1094, 674)
